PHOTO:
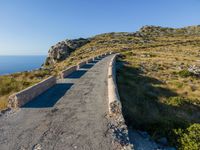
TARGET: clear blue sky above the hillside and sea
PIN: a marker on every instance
(30, 27)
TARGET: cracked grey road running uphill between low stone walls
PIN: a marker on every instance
(71, 115)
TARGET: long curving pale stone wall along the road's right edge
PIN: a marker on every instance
(117, 122)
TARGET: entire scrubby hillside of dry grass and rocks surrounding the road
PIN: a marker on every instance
(159, 78)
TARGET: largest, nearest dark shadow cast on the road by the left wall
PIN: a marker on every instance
(50, 97)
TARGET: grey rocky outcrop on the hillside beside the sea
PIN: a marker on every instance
(63, 49)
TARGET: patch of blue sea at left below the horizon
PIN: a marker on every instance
(12, 64)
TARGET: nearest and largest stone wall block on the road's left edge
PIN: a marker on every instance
(19, 99)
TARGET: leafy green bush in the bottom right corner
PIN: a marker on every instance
(189, 139)
